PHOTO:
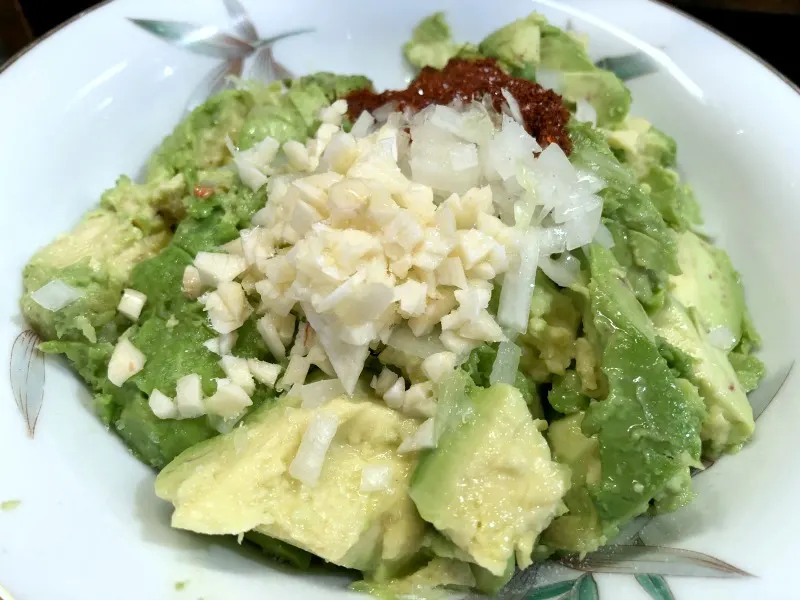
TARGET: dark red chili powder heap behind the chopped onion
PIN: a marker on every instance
(542, 110)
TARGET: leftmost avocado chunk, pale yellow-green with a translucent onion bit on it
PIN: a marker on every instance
(95, 258)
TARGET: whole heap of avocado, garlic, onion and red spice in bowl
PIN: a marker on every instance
(432, 334)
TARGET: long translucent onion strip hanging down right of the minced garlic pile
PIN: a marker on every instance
(515, 297)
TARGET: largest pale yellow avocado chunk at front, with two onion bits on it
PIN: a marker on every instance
(240, 482)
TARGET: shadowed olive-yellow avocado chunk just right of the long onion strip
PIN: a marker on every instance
(548, 347)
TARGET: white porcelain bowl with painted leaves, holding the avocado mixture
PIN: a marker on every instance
(93, 99)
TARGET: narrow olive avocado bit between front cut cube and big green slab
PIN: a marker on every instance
(580, 529)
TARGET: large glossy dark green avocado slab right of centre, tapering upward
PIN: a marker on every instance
(648, 428)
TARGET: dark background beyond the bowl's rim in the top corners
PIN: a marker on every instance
(767, 27)
